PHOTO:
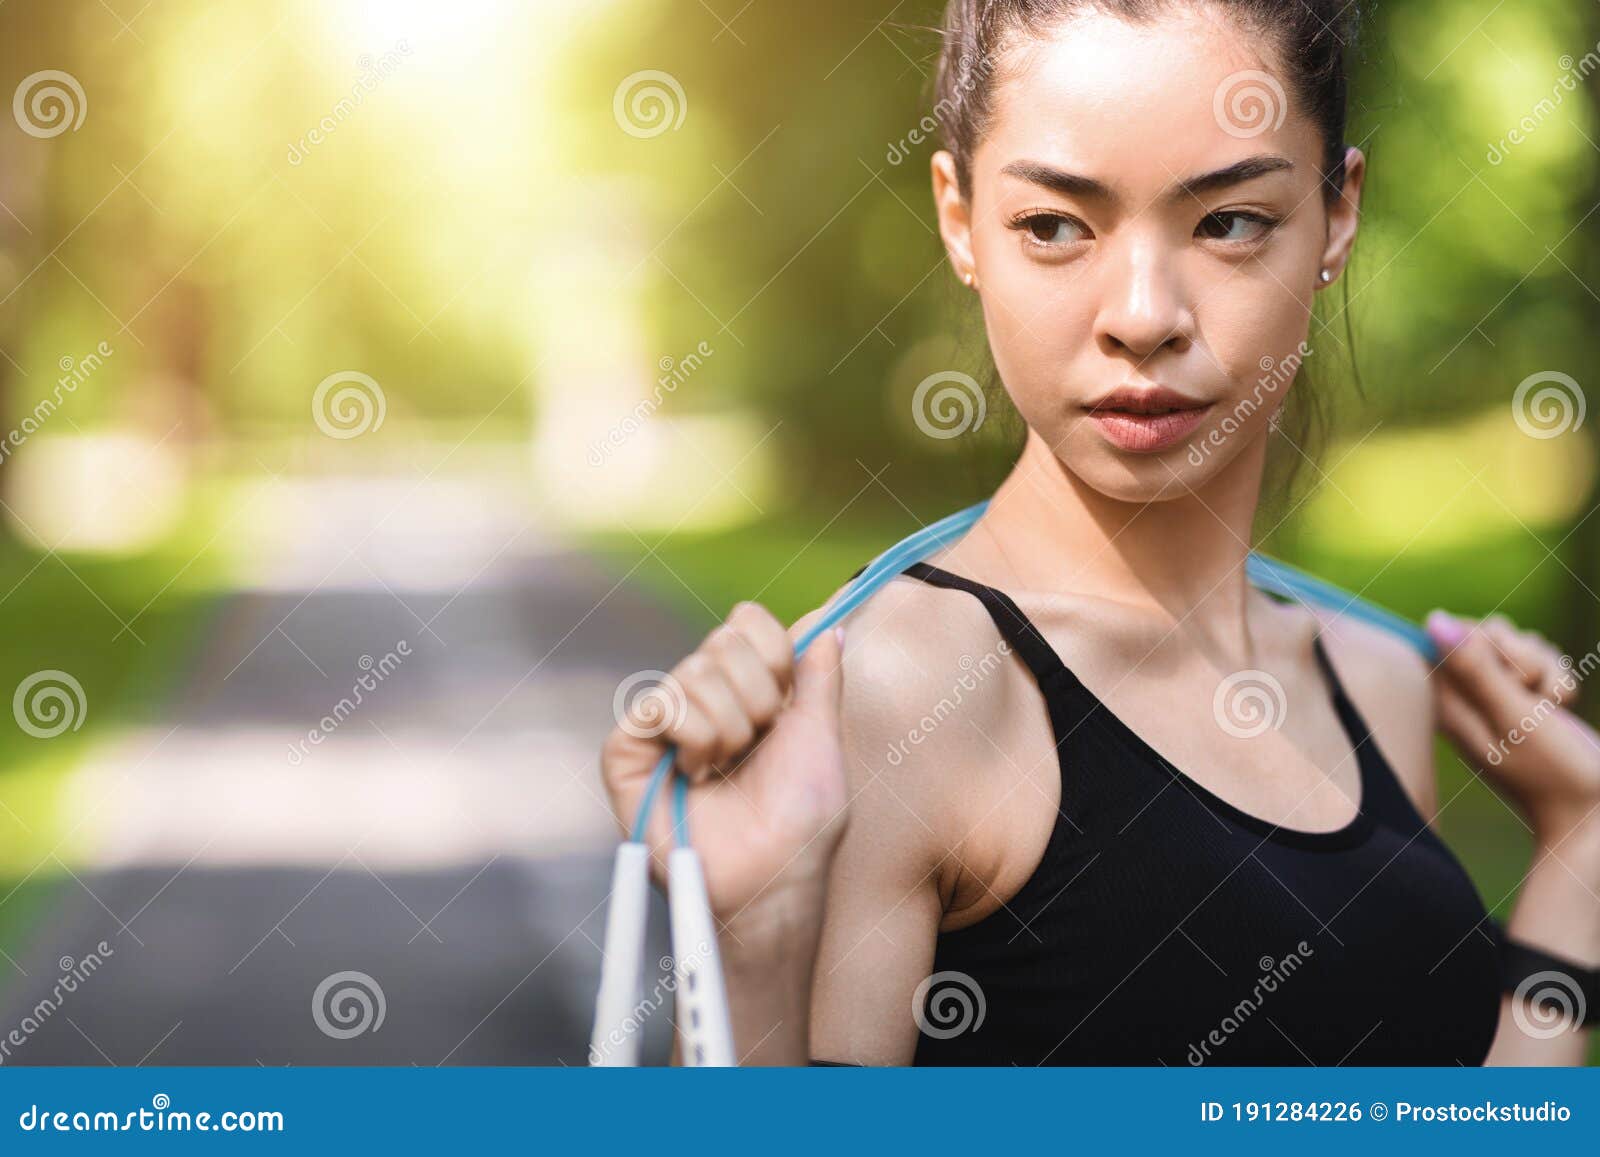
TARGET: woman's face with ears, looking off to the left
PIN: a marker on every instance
(1140, 223)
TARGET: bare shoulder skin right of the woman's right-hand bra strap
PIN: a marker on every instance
(1390, 684)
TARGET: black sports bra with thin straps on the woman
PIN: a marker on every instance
(1166, 926)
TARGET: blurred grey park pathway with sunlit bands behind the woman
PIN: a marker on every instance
(444, 835)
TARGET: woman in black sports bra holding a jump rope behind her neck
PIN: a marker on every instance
(1030, 774)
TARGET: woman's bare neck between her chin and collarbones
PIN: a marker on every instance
(1183, 556)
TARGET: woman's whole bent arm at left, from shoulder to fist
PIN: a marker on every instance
(825, 859)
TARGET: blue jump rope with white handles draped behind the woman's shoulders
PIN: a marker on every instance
(703, 1019)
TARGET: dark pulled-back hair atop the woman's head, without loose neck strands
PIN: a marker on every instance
(1311, 36)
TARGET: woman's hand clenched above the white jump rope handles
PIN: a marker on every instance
(759, 740)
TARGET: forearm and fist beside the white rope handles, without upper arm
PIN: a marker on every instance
(758, 739)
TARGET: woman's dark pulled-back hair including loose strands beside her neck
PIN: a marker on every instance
(1314, 41)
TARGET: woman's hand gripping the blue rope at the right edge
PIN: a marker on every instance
(1503, 699)
